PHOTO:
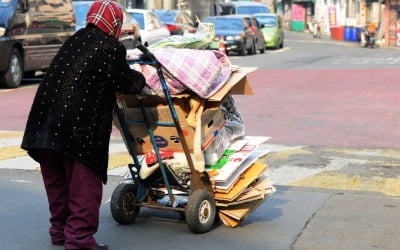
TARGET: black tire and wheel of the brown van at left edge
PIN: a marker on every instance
(7, 79)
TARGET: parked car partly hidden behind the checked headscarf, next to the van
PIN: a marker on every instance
(130, 30)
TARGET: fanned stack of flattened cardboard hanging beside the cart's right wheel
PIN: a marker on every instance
(240, 185)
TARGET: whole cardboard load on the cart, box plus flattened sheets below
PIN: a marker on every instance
(238, 177)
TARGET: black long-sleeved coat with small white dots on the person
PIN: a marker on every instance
(72, 110)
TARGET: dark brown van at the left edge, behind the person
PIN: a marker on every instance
(31, 33)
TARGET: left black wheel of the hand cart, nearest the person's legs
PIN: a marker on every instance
(123, 199)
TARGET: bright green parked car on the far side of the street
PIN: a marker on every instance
(272, 29)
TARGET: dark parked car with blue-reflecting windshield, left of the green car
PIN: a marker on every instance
(236, 34)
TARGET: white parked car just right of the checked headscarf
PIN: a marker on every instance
(151, 29)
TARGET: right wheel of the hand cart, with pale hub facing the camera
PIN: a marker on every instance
(200, 211)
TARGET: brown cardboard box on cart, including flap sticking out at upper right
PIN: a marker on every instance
(167, 137)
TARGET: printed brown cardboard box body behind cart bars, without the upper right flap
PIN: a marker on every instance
(167, 138)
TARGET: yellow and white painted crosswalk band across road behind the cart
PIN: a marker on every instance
(376, 170)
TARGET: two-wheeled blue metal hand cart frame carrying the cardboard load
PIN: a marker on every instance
(199, 207)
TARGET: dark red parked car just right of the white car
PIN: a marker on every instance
(176, 21)
